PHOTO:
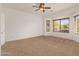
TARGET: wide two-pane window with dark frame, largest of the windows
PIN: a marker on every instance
(61, 25)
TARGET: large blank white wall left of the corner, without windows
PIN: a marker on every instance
(21, 24)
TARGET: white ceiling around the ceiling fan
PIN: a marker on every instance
(27, 7)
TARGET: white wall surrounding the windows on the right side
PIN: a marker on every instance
(62, 14)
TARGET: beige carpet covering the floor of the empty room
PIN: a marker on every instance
(41, 46)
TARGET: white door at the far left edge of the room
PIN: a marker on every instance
(2, 29)
